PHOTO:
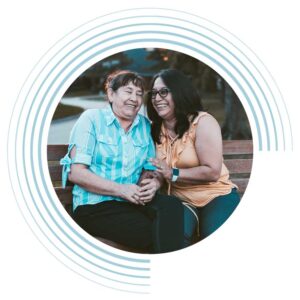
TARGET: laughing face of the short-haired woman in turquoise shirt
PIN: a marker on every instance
(126, 101)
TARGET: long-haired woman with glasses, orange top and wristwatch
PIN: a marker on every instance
(189, 150)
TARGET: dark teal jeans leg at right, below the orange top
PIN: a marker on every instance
(216, 212)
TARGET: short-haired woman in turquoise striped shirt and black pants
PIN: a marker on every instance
(108, 150)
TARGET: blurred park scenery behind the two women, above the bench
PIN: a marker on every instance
(87, 91)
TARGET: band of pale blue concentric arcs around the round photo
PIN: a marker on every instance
(58, 69)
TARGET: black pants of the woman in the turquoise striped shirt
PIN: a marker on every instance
(156, 227)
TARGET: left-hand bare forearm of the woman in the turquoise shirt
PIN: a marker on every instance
(93, 183)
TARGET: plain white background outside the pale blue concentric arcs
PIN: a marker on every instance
(256, 253)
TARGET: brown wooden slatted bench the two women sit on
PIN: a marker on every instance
(238, 155)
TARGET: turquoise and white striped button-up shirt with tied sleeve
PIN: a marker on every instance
(103, 145)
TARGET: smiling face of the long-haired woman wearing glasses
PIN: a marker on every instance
(164, 105)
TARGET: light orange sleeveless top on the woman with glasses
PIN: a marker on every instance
(181, 154)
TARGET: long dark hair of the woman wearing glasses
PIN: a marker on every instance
(186, 99)
